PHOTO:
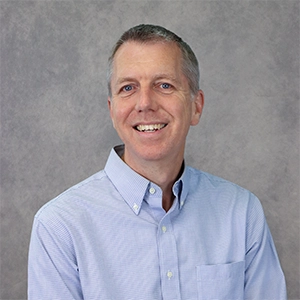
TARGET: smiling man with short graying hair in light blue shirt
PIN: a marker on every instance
(148, 227)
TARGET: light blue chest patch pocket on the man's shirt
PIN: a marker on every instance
(221, 282)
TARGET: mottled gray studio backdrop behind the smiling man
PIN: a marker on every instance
(55, 128)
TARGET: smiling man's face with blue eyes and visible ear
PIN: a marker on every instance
(151, 105)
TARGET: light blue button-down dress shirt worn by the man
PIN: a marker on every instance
(108, 238)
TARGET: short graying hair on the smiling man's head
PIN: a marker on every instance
(154, 33)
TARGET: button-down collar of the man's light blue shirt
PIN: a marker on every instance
(132, 186)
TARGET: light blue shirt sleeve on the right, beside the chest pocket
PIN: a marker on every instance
(264, 278)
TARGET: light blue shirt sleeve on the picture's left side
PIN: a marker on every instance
(52, 269)
